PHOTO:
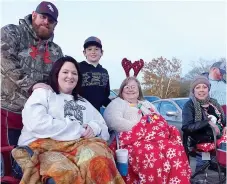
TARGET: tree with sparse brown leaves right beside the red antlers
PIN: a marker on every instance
(162, 77)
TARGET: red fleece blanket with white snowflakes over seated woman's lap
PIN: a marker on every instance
(156, 153)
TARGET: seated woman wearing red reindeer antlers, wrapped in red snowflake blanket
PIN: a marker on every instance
(156, 153)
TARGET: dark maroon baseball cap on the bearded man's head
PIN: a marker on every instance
(47, 8)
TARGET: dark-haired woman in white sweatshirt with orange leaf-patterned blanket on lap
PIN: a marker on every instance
(66, 133)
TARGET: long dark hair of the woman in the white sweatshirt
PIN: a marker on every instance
(53, 77)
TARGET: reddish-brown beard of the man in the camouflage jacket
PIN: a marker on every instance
(41, 32)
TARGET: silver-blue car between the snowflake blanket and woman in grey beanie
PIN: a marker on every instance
(171, 110)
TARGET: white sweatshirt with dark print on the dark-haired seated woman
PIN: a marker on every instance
(58, 116)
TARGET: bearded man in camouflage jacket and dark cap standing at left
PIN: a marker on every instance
(27, 55)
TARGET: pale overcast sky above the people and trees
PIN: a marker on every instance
(188, 30)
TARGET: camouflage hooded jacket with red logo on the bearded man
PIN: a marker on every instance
(25, 59)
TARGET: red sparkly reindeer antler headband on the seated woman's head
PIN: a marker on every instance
(128, 65)
